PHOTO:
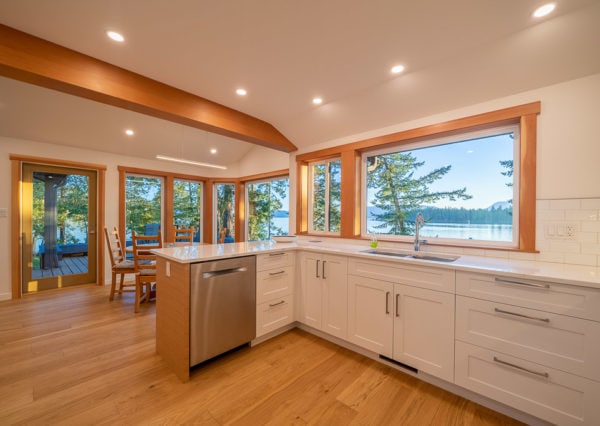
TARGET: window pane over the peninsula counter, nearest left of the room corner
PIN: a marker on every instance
(268, 209)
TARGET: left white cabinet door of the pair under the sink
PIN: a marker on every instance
(370, 320)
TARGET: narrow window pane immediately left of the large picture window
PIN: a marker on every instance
(325, 196)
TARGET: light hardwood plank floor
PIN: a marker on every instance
(72, 357)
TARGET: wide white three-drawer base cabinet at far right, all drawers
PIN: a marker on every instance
(531, 344)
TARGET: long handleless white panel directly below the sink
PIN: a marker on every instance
(432, 278)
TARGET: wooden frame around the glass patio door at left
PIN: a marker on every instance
(16, 210)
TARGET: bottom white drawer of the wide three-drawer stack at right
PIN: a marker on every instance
(549, 394)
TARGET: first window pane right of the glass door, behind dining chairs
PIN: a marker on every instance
(143, 200)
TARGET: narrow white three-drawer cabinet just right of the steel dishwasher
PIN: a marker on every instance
(274, 291)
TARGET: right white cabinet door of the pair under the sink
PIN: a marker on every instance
(424, 330)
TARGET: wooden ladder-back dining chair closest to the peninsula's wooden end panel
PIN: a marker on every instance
(144, 265)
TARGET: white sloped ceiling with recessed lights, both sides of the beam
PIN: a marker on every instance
(284, 52)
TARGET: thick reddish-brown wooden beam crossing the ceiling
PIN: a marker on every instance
(33, 60)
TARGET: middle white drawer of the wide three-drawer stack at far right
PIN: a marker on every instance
(562, 342)
